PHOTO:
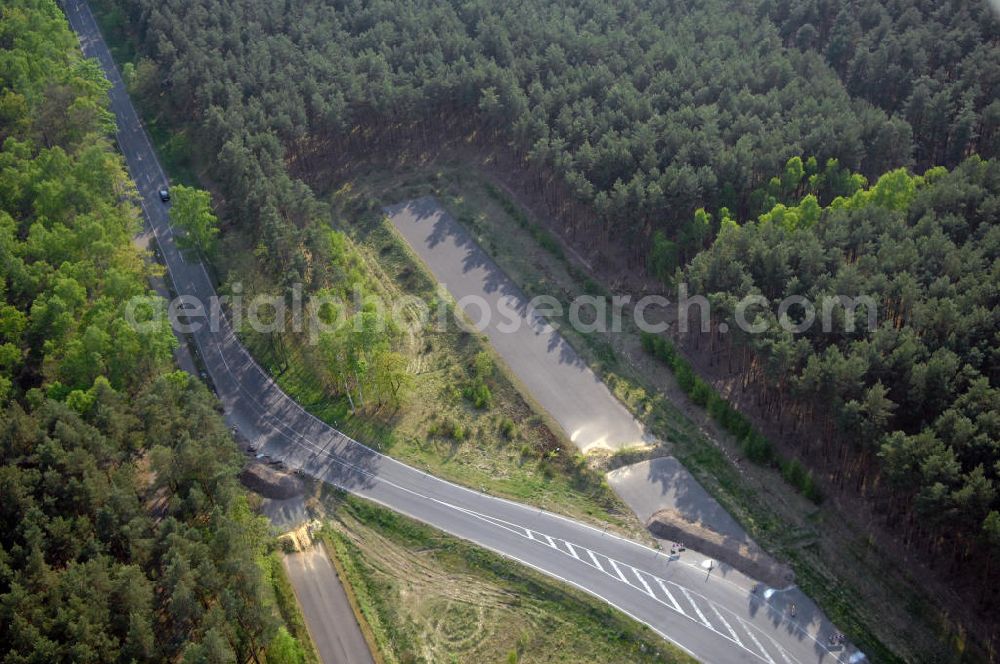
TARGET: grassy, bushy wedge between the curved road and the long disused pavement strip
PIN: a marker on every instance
(443, 401)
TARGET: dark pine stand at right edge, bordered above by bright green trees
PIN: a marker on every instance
(905, 414)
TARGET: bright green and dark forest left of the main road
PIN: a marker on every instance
(124, 536)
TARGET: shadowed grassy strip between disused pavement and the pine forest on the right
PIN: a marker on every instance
(866, 593)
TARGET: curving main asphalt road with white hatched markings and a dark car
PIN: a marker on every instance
(715, 618)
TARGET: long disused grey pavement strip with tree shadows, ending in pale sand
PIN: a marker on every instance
(534, 350)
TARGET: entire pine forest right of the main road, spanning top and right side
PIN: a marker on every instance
(802, 147)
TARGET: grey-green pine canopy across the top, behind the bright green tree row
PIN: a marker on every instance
(645, 111)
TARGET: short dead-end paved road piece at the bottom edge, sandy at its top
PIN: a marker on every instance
(327, 611)
